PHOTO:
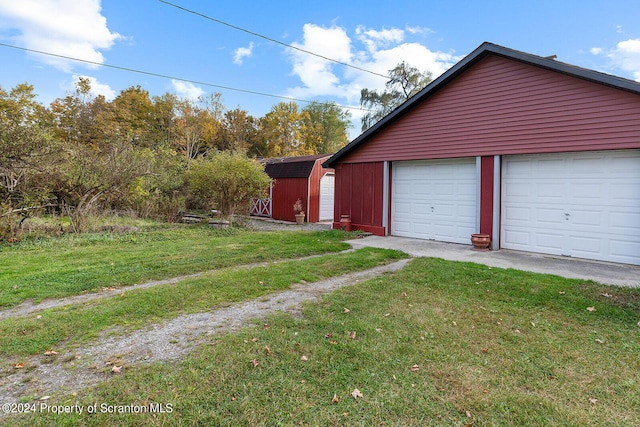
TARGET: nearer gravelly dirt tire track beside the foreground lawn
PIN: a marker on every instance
(165, 342)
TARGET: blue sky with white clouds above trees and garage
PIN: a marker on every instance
(240, 48)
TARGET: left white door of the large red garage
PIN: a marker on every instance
(434, 199)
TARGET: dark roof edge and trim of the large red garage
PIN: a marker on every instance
(479, 53)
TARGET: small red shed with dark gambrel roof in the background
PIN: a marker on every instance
(303, 178)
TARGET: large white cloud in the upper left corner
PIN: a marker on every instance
(73, 28)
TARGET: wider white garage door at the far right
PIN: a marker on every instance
(584, 205)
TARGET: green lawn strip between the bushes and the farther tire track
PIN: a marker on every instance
(70, 265)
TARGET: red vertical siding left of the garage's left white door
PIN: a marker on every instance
(359, 193)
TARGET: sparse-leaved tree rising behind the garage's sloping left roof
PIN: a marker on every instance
(404, 82)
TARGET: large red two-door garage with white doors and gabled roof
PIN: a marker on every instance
(541, 155)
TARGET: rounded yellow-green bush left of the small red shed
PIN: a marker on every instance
(227, 181)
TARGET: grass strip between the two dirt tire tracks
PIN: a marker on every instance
(78, 323)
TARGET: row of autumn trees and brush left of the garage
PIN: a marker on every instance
(84, 154)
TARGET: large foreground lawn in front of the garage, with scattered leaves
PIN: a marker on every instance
(438, 343)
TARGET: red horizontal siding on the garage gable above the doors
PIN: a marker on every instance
(502, 106)
